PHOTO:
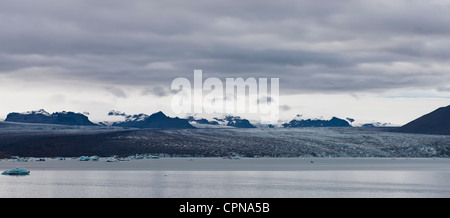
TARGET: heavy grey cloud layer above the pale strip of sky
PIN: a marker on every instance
(312, 46)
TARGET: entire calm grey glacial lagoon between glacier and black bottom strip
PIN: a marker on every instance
(216, 177)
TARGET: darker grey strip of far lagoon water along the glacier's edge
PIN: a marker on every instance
(244, 164)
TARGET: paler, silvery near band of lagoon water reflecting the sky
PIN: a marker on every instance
(227, 184)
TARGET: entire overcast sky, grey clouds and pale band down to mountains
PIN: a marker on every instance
(100, 55)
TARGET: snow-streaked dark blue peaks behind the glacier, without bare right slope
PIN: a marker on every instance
(160, 120)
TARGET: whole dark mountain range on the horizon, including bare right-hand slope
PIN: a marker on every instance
(436, 122)
